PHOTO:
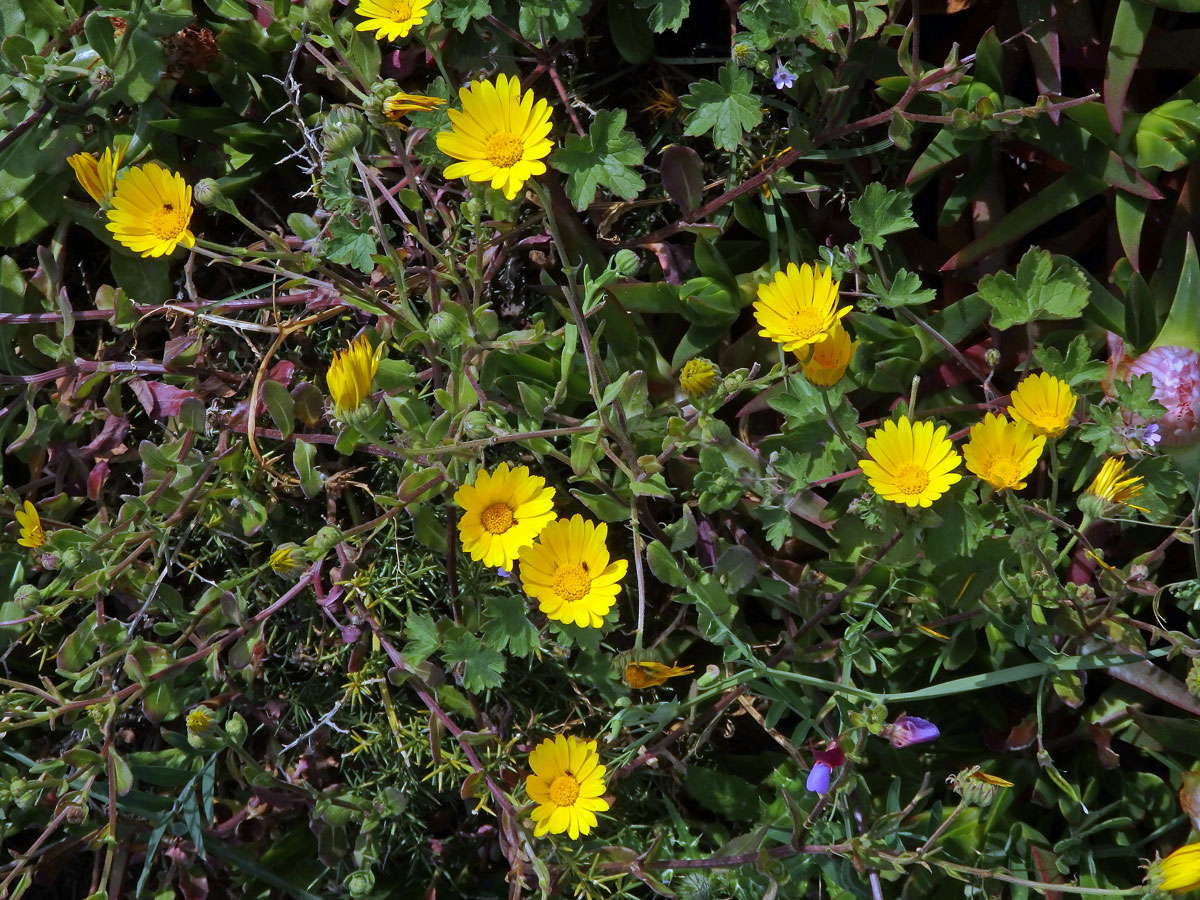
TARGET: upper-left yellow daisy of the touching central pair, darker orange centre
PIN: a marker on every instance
(505, 512)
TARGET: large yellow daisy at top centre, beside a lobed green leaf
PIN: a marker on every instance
(500, 136)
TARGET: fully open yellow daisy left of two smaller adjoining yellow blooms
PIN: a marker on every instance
(911, 463)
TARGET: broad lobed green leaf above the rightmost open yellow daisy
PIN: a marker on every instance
(1042, 290)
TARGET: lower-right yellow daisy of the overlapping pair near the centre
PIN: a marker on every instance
(568, 573)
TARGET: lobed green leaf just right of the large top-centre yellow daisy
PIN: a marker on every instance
(604, 158)
